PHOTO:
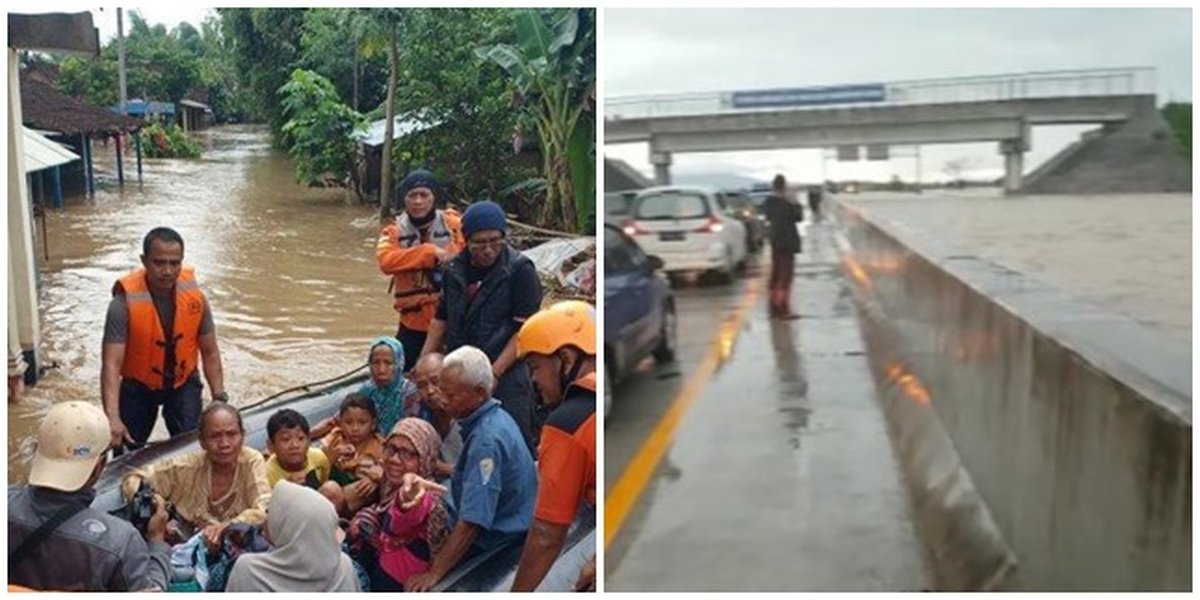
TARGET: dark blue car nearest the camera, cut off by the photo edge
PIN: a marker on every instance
(639, 311)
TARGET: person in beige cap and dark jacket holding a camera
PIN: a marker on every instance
(57, 542)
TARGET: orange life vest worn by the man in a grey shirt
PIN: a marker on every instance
(146, 352)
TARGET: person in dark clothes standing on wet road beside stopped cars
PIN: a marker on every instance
(785, 243)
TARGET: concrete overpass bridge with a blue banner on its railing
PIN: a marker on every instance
(993, 109)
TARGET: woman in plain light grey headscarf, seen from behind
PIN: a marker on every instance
(307, 556)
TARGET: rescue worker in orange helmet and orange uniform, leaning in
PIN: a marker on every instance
(560, 346)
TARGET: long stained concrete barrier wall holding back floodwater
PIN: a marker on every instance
(1069, 429)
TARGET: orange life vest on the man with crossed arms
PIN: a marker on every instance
(415, 296)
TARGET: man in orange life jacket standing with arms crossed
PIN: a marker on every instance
(413, 250)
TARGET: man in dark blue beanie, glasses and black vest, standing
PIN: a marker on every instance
(490, 292)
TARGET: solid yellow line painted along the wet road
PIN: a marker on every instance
(633, 482)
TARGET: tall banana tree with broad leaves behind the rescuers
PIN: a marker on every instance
(553, 73)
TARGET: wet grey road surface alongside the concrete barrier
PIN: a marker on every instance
(781, 476)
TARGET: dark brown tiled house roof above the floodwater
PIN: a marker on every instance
(46, 109)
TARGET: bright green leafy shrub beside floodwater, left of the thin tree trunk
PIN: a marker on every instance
(321, 128)
